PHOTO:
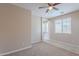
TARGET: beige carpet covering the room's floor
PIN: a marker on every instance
(43, 49)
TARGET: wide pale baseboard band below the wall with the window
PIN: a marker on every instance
(67, 46)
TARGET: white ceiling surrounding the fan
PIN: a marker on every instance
(64, 7)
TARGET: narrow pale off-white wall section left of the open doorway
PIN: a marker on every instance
(36, 29)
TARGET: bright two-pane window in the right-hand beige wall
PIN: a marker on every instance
(63, 26)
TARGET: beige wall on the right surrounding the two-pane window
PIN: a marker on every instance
(72, 38)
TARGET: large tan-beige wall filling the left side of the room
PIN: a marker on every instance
(15, 28)
